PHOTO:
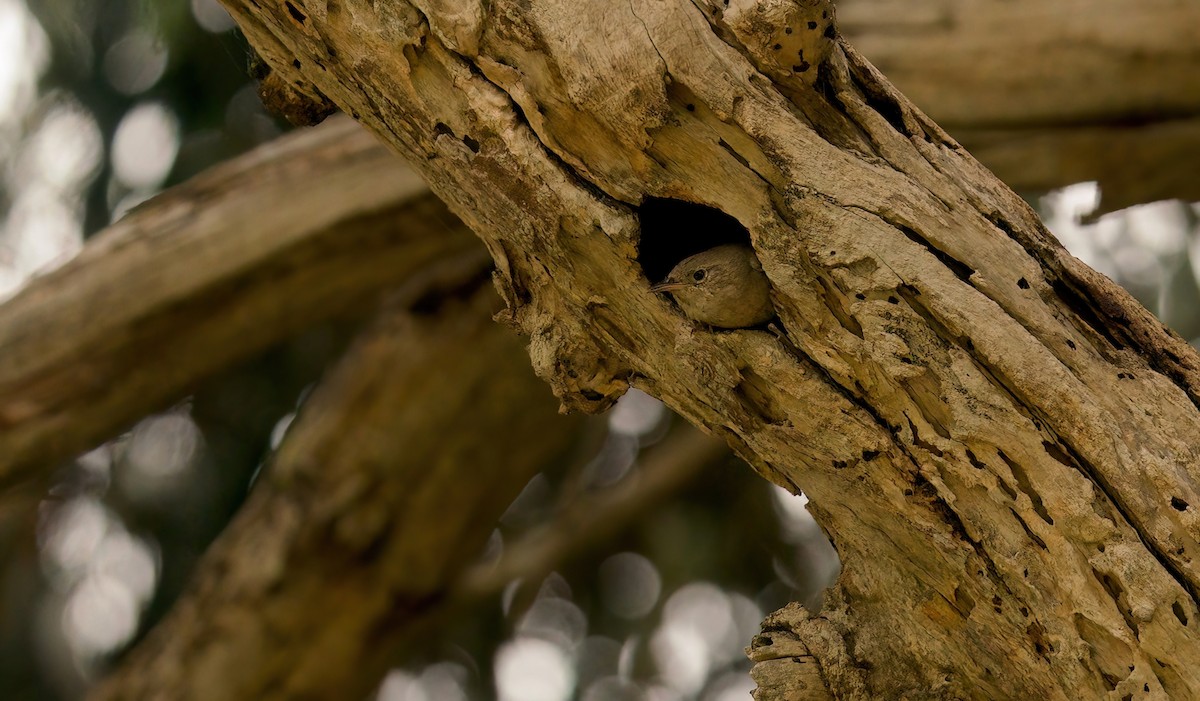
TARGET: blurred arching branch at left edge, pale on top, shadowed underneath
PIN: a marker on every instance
(203, 277)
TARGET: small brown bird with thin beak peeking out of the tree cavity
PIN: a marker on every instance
(723, 287)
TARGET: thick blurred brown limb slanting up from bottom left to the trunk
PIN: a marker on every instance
(368, 513)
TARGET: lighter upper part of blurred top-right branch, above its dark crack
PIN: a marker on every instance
(971, 58)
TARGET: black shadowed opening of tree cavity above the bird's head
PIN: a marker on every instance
(674, 230)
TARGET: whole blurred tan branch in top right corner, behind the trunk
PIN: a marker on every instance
(1049, 93)
